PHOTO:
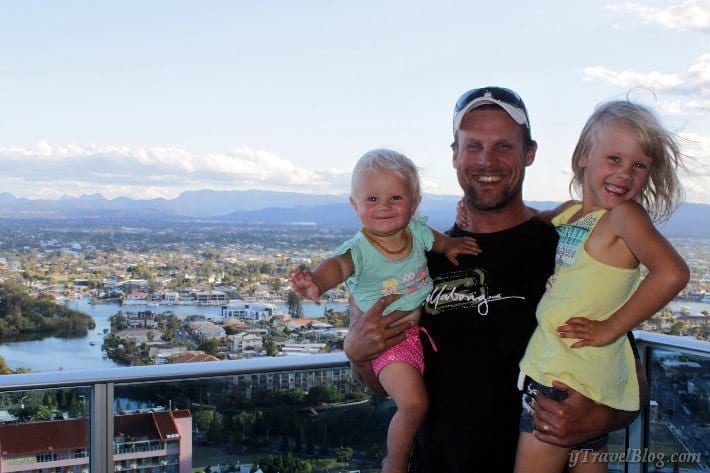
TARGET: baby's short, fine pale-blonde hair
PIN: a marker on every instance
(379, 159)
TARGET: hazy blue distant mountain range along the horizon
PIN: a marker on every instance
(268, 207)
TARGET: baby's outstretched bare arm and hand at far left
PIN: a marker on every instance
(325, 276)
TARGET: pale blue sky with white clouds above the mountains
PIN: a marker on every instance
(151, 99)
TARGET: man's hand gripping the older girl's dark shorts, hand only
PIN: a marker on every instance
(572, 421)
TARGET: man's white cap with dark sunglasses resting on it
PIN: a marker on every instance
(500, 96)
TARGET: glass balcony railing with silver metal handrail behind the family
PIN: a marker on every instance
(228, 414)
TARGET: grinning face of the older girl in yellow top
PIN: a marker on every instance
(616, 169)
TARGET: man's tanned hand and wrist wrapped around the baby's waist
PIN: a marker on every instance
(369, 335)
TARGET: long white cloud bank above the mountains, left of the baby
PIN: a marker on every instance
(54, 170)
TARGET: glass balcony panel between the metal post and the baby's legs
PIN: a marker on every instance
(319, 416)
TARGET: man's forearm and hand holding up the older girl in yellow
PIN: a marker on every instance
(578, 419)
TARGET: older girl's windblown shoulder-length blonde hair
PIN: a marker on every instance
(664, 193)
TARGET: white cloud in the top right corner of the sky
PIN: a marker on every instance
(689, 15)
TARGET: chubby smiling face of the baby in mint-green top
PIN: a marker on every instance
(384, 202)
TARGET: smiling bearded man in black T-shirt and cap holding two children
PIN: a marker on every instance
(482, 312)
